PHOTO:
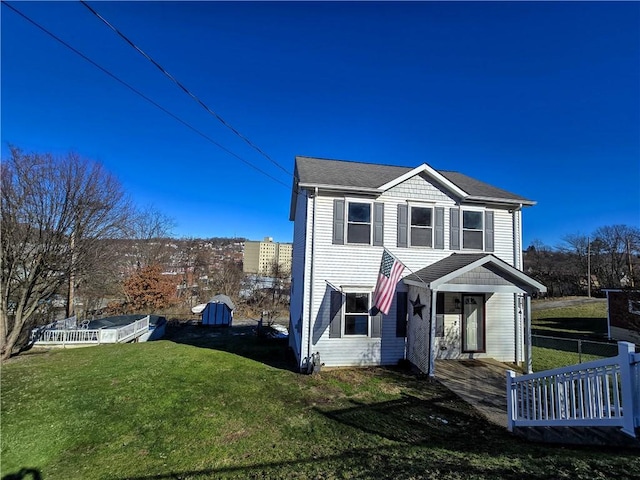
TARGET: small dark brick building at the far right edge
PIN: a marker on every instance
(623, 314)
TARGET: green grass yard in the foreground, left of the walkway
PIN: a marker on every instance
(209, 404)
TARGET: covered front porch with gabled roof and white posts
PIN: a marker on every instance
(469, 306)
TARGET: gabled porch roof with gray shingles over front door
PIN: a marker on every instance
(474, 272)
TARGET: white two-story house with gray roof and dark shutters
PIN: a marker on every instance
(462, 294)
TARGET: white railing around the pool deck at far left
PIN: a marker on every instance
(82, 336)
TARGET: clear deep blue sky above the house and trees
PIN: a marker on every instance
(538, 98)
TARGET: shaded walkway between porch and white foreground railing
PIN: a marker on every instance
(481, 383)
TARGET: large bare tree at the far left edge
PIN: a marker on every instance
(55, 216)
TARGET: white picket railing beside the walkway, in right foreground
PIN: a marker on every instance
(600, 393)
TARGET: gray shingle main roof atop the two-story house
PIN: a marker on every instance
(340, 173)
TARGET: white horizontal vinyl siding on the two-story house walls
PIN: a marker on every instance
(357, 265)
